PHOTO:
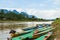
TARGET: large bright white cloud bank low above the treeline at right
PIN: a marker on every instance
(46, 14)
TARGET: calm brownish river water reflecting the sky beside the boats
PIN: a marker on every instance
(6, 27)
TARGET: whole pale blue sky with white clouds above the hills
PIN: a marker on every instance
(41, 8)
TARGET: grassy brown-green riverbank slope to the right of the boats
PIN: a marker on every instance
(56, 31)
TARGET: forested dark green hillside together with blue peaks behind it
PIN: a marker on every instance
(15, 15)
